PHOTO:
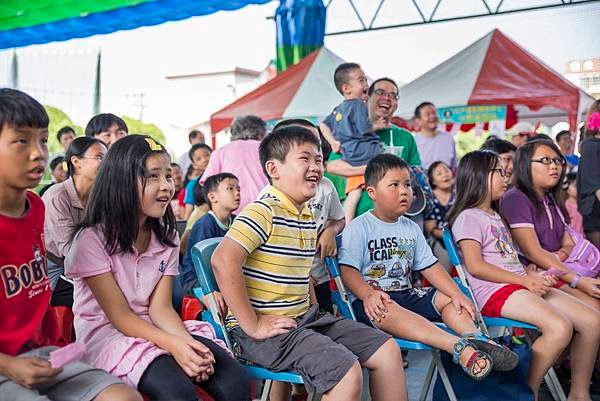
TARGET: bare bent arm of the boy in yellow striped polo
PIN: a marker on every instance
(227, 262)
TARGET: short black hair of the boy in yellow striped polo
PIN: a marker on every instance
(278, 144)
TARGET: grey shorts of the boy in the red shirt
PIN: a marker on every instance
(77, 382)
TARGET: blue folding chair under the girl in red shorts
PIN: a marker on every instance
(484, 322)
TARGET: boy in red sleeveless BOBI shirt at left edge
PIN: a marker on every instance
(25, 373)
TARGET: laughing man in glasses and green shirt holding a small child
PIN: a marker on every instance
(382, 103)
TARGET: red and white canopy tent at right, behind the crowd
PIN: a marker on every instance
(495, 71)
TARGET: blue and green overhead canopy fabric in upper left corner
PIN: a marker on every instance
(24, 23)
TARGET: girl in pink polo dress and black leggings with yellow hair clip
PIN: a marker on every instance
(122, 260)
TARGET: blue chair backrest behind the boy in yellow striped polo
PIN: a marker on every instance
(201, 255)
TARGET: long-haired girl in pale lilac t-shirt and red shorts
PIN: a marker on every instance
(503, 287)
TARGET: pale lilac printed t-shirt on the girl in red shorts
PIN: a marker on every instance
(496, 248)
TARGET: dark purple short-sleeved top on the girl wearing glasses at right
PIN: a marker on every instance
(519, 211)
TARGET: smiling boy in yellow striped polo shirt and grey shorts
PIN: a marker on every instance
(262, 268)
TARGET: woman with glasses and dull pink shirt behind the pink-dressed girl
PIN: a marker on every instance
(64, 207)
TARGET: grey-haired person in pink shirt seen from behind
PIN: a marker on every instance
(240, 158)
